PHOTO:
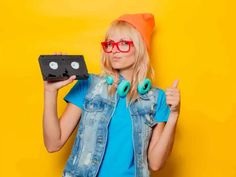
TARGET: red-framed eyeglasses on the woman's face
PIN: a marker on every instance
(122, 46)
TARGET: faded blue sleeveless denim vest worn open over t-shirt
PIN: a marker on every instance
(91, 138)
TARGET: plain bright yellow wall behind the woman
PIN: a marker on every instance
(194, 42)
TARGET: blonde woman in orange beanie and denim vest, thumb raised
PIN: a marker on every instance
(127, 127)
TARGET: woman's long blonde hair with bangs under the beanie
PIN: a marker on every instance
(142, 67)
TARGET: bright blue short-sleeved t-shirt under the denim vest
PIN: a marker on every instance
(117, 162)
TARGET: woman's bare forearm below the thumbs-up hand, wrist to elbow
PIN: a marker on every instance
(162, 149)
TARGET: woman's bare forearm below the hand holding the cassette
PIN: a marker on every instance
(51, 125)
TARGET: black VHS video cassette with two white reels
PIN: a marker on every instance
(61, 67)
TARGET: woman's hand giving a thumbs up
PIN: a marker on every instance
(173, 97)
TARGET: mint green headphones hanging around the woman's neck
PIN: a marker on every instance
(124, 86)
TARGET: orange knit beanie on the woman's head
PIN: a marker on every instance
(143, 22)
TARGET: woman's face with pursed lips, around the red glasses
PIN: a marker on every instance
(118, 59)
